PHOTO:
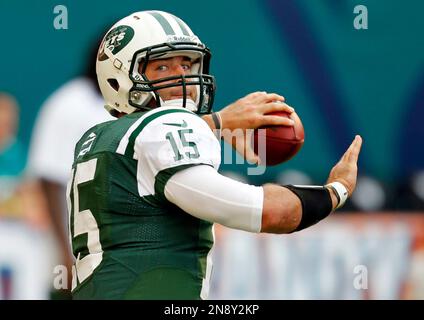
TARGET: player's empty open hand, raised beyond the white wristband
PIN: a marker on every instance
(346, 170)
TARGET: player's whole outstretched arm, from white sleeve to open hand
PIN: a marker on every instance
(204, 193)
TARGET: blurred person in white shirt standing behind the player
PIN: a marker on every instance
(67, 113)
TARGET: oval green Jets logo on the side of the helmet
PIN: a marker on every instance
(116, 40)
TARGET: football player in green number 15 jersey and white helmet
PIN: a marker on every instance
(145, 190)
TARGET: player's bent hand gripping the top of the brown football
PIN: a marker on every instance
(251, 112)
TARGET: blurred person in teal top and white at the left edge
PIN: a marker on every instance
(24, 242)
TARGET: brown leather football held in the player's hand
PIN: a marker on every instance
(277, 144)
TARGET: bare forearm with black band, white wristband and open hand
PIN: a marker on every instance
(283, 212)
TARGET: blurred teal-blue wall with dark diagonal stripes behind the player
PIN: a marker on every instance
(342, 81)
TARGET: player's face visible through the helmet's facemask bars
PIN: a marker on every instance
(175, 66)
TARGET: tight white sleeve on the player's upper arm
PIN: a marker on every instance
(208, 195)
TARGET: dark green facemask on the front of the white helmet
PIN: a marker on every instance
(145, 94)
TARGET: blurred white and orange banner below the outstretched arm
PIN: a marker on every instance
(353, 256)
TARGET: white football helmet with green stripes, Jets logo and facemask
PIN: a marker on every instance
(144, 36)
